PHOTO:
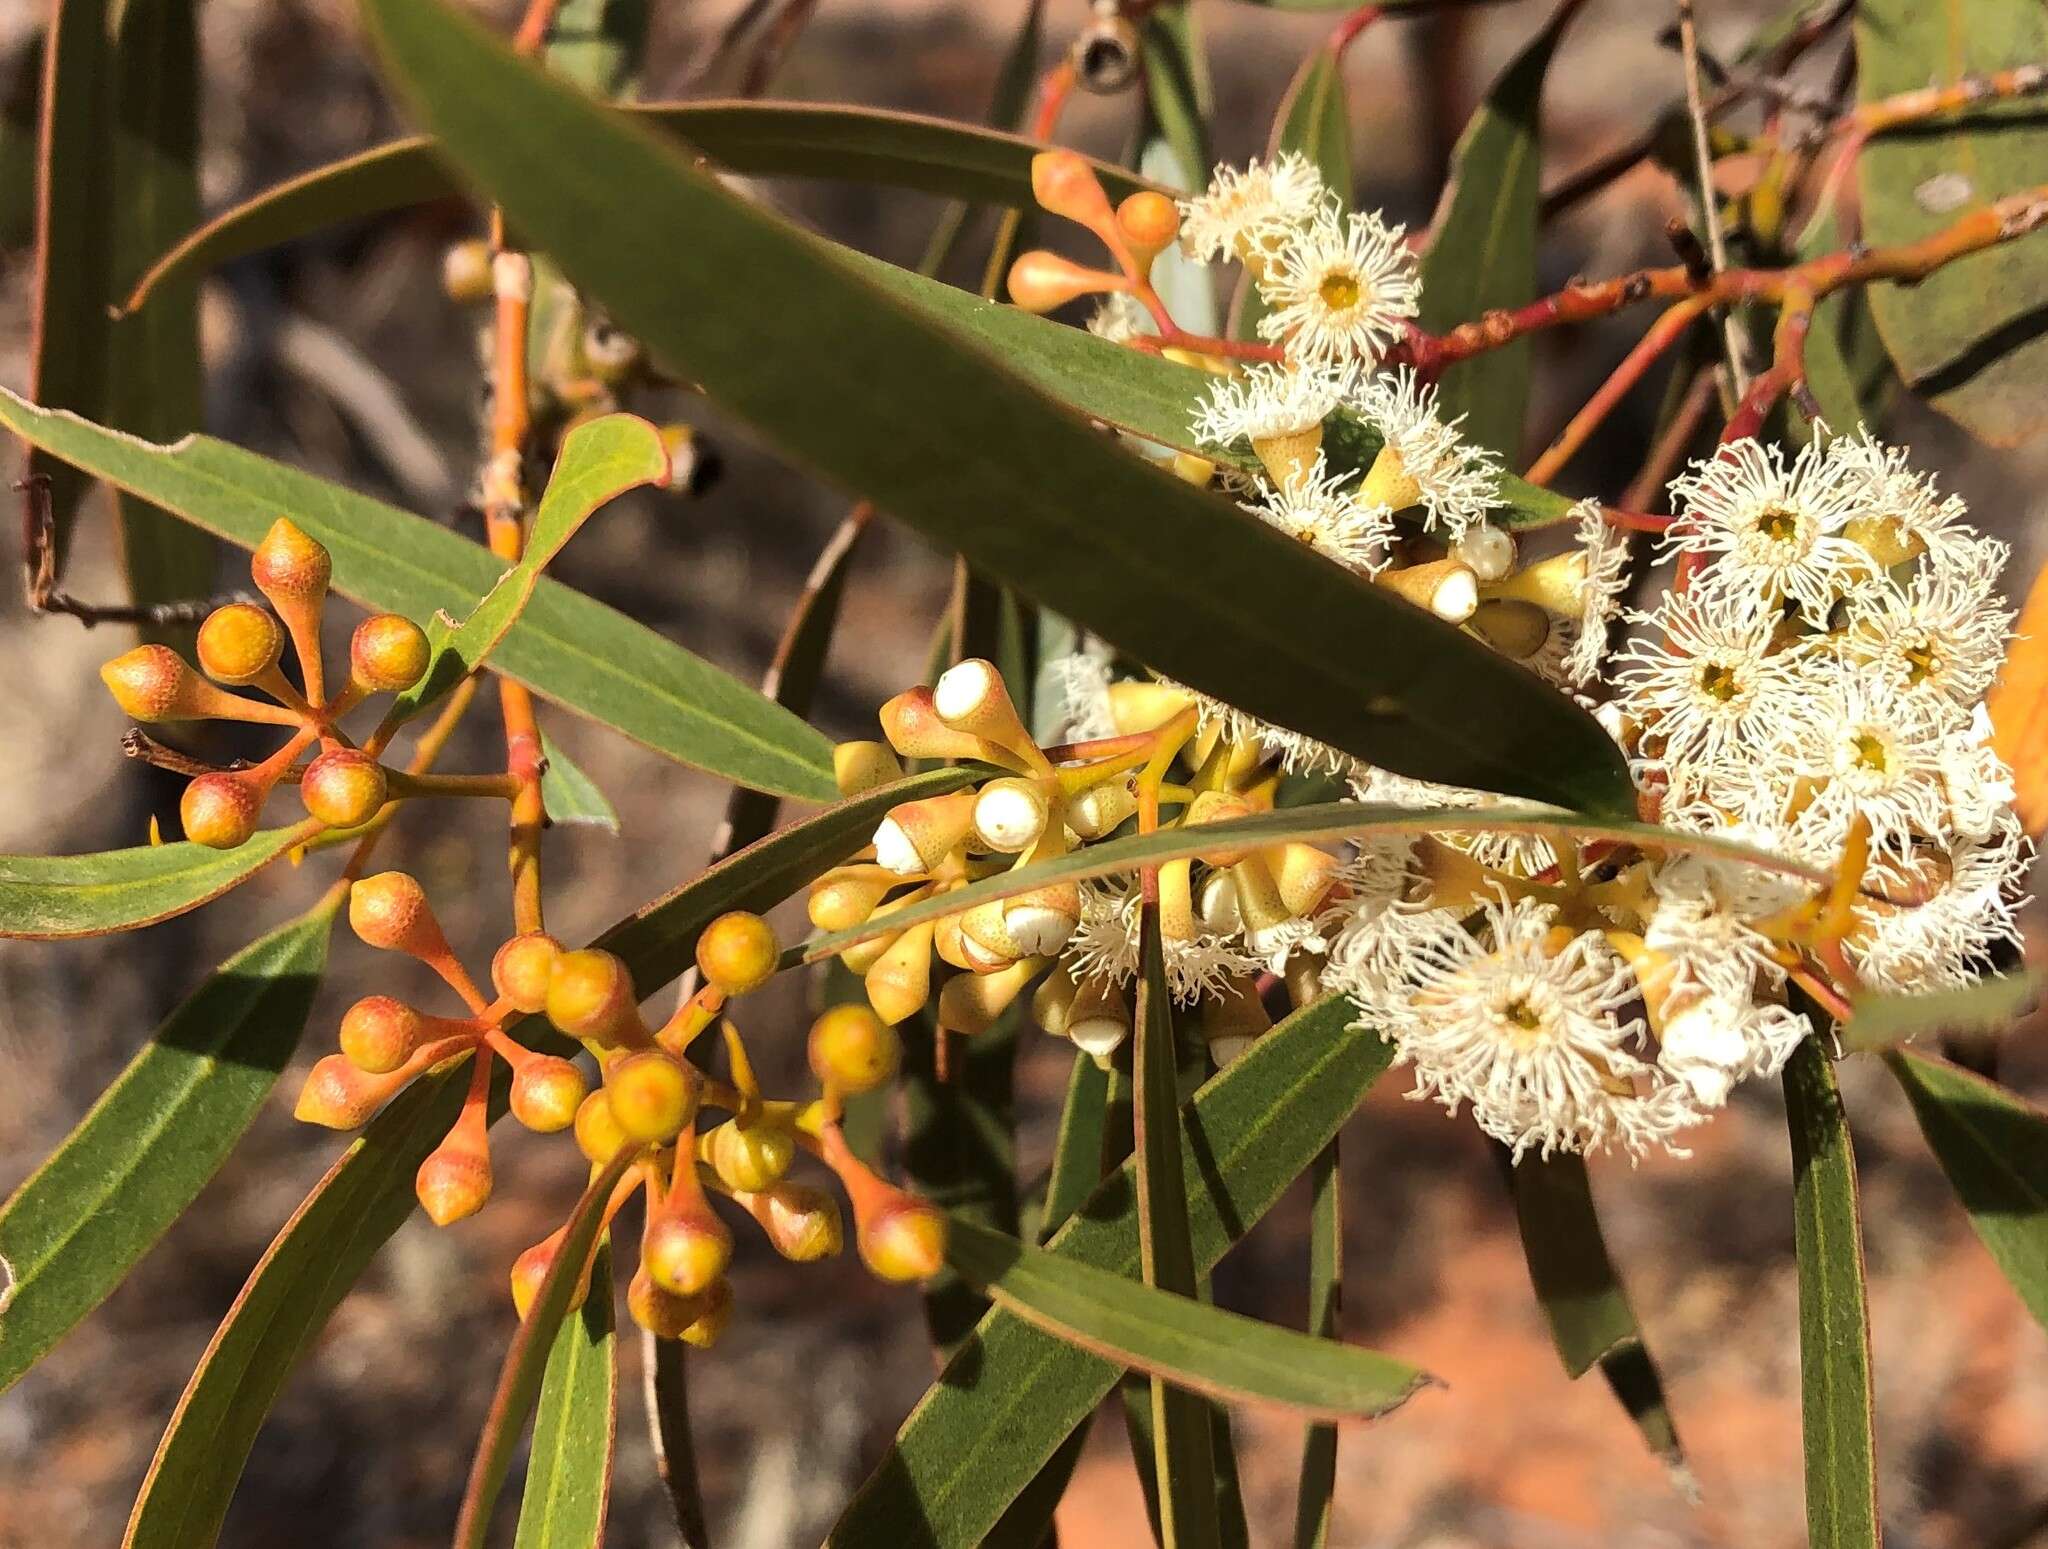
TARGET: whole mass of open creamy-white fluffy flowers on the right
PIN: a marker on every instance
(1809, 687)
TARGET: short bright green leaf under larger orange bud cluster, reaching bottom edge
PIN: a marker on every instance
(570, 1466)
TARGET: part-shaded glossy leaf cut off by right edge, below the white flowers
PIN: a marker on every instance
(1994, 1146)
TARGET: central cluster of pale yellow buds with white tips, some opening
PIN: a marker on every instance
(1228, 917)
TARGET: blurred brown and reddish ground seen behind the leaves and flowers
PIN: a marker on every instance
(339, 353)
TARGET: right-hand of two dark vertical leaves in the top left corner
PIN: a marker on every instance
(155, 366)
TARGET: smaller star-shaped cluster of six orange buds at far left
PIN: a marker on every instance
(241, 646)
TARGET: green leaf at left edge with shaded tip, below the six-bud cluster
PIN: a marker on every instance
(157, 1136)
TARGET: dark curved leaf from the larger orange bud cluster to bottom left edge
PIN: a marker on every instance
(288, 1300)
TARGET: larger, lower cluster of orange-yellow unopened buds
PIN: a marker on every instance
(650, 1099)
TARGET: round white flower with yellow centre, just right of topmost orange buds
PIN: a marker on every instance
(1340, 290)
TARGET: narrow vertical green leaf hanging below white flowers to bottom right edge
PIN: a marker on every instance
(1834, 1316)
